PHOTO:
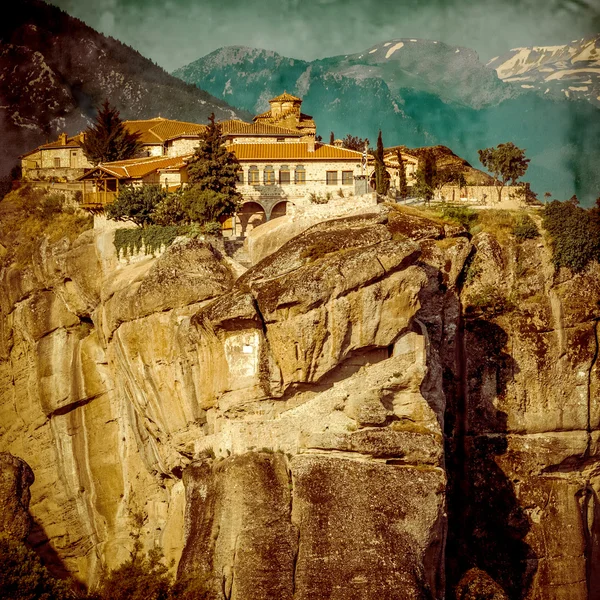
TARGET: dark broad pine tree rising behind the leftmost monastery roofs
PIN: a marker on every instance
(108, 139)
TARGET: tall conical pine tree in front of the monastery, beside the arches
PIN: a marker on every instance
(212, 171)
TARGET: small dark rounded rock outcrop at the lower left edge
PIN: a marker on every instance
(15, 479)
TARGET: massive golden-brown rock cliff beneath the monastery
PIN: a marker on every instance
(384, 407)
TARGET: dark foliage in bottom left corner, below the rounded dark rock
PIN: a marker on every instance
(24, 577)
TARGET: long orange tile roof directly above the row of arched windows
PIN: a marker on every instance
(292, 151)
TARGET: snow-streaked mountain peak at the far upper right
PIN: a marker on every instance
(568, 70)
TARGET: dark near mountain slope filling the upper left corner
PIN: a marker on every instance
(55, 71)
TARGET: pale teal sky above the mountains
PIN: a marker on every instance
(176, 32)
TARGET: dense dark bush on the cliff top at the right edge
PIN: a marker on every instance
(574, 234)
